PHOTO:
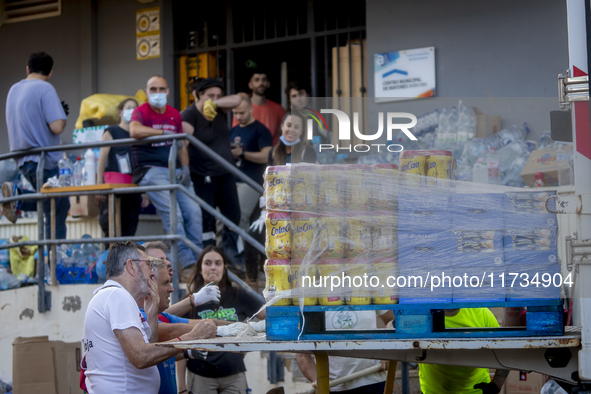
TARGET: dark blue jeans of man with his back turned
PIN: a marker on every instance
(62, 204)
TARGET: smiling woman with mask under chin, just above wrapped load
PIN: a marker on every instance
(291, 147)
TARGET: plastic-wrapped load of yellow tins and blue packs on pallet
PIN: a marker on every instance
(374, 234)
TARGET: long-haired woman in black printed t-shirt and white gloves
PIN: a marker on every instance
(220, 372)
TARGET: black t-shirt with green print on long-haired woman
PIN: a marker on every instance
(235, 305)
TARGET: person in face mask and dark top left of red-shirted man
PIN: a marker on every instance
(116, 159)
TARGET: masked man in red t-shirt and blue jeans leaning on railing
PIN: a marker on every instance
(150, 166)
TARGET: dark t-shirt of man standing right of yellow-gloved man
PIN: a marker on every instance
(253, 138)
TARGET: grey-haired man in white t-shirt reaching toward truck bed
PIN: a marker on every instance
(119, 357)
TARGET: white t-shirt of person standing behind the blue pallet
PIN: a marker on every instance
(343, 366)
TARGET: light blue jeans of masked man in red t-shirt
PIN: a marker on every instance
(188, 212)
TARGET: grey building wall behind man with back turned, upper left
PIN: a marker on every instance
(93, 47)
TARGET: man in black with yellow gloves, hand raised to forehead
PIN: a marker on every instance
(206, 121)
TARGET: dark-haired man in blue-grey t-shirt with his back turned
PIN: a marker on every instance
(35, 118)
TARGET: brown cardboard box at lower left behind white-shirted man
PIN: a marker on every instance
(43, 366)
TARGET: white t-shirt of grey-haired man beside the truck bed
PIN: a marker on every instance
(109, 370)
